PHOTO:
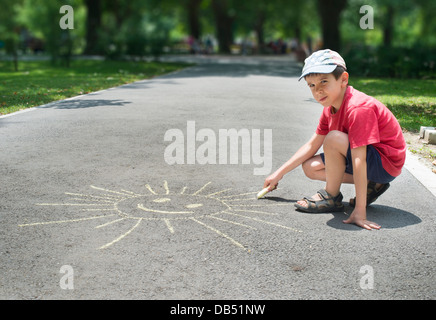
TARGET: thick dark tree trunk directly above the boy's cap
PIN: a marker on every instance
(330, 11)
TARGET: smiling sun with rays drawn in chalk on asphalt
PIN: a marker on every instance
(171, 207)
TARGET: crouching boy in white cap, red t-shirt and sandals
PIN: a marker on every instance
(362, 141)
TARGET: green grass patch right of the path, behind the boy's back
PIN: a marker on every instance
(412, 101)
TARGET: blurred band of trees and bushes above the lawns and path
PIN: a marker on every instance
(403, 35)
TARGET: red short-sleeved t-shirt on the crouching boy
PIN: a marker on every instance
(367, 121)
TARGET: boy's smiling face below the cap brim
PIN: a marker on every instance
(326, 89)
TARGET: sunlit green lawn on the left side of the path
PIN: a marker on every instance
(38, 82)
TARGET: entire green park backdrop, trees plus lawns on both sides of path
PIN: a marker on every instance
(116, 42)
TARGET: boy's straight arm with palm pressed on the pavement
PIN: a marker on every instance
(358, 216)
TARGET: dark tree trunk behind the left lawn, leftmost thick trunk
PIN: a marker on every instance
(93, 21)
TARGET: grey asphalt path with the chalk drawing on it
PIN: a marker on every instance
(93, 207)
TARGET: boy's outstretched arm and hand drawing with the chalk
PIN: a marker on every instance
(305, 152)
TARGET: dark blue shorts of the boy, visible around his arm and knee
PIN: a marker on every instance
(375, 171)
